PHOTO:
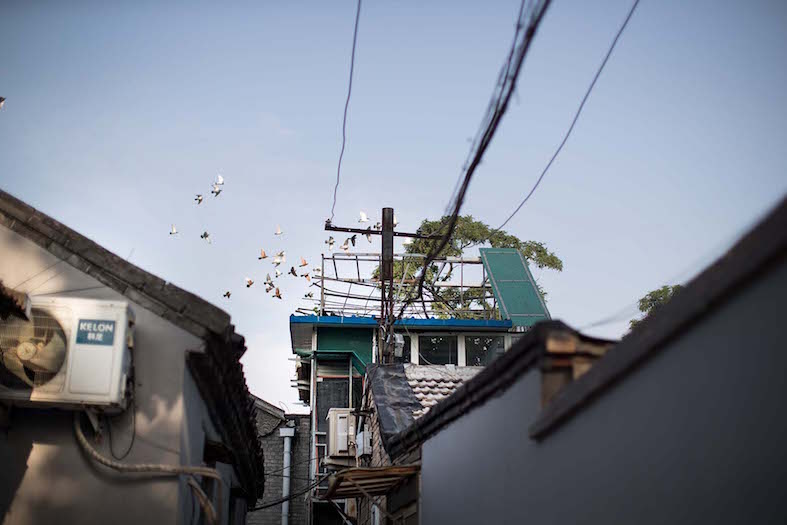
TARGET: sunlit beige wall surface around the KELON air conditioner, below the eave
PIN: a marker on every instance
(46, 478)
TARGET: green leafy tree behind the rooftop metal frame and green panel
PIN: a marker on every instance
(469, 233)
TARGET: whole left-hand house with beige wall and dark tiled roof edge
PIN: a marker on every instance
(186, 406)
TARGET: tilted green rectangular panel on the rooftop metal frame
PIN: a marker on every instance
(514, 287)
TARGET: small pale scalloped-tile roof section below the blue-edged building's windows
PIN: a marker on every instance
(432, 383)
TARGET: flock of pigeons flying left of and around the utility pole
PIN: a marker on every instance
(280, 258)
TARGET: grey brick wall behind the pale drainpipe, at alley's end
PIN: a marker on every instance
(273, 449)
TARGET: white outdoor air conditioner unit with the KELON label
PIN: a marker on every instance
(72, 353)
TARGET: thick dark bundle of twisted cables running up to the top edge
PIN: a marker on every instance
(495, 112)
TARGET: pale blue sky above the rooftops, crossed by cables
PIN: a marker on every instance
(117, 114)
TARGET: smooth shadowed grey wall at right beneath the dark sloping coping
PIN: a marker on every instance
(696, 435)
